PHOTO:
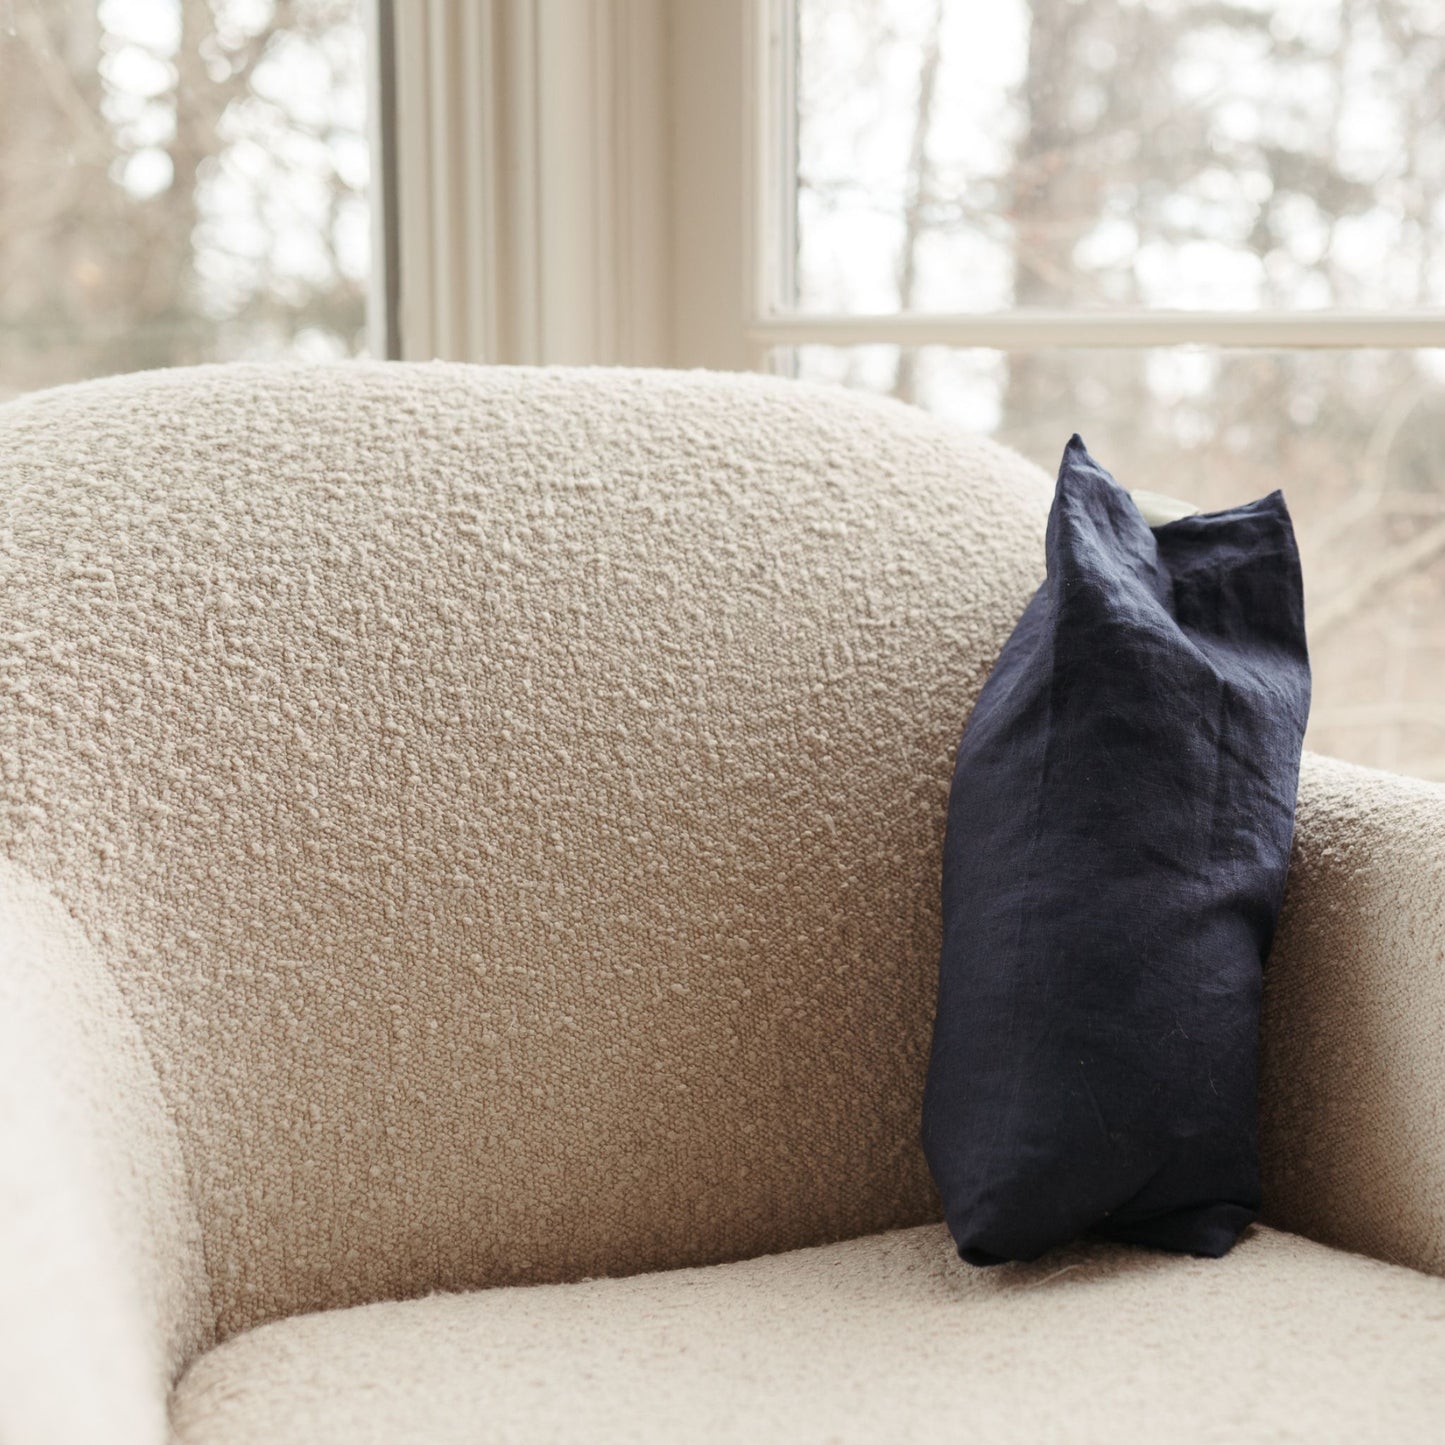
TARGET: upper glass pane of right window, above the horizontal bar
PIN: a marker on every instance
(1115, 154)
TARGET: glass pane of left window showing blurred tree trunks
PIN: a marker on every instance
(180, 181)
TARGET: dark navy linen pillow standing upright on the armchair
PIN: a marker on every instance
(1118, 839)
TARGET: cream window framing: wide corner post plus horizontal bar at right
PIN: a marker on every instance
(615, 183)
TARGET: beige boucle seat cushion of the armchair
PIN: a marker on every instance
(885, 1337)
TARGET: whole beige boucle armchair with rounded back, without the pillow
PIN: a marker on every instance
(470, 915)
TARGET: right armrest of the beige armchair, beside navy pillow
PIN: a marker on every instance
(1353, 1045)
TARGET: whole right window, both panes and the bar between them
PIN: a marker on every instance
(1209, 238)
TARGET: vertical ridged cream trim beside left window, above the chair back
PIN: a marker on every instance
(532, 158)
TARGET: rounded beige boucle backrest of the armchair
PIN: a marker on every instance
(509, 801)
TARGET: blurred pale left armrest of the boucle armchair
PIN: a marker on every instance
(103, 1293)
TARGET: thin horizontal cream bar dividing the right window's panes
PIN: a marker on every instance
(1028, 330)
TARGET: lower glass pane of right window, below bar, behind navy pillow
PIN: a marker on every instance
(1353, 437)
